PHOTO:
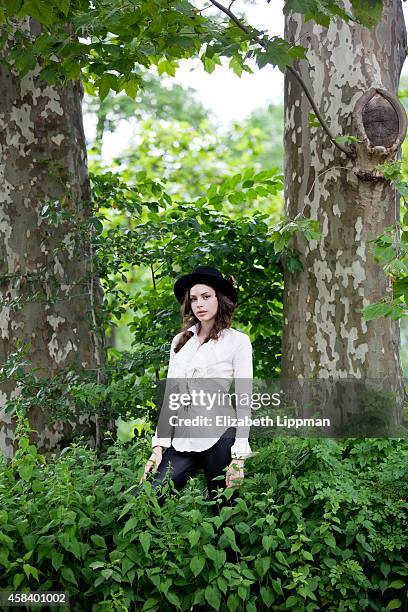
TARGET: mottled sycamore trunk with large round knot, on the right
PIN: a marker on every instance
(324, 334)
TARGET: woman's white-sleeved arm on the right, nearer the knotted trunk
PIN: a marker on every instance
(243, 374)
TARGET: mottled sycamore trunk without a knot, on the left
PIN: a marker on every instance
(45, 289)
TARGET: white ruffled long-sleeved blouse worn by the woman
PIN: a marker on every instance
(229, 357)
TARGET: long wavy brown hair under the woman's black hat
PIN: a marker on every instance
(223, 318)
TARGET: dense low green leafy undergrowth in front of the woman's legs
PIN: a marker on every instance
(317, 524)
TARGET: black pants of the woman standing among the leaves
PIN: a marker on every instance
(180, 466)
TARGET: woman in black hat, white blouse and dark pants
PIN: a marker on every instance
(207, 347)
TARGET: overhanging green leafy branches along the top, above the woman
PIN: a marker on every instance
(111, 45)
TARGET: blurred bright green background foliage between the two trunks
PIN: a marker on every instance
(191, 157)
